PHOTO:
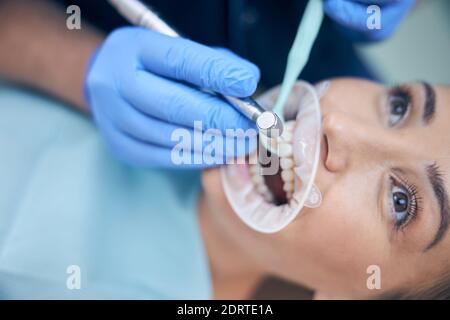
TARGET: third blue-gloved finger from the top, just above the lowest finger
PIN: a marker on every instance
(156, 132)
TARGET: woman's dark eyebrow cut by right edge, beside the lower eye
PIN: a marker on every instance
(437, 184)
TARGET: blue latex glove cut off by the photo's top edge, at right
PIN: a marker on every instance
(353, 15)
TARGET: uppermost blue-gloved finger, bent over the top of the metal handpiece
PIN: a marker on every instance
(185, 60)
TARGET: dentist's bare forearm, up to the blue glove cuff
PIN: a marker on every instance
(38, 50)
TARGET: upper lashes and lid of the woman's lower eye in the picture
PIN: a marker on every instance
(414, 201)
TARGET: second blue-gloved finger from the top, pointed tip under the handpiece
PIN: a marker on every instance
(180, 104)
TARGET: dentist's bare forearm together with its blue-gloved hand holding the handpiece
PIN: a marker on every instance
(140, 85)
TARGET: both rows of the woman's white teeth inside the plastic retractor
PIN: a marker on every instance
(284, 145)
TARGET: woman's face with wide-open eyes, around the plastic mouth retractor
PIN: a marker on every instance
(383, 177)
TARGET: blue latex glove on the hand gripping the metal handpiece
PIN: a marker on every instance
(140, 88)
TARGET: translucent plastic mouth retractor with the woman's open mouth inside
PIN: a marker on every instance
(267, 193)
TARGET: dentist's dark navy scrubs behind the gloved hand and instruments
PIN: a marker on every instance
(261, 31)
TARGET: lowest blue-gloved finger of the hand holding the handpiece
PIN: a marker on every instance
(141, 154)
